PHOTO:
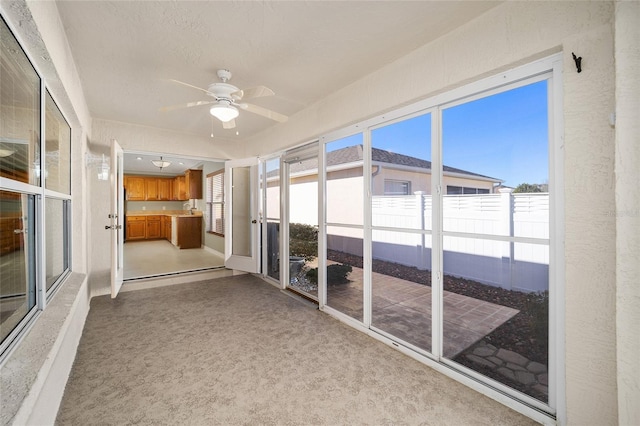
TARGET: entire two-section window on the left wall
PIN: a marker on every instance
(35, 193)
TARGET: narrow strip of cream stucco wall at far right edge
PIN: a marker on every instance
(627, 210)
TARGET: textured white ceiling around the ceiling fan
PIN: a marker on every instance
(127, 51)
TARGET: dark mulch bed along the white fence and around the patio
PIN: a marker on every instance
(517, 334)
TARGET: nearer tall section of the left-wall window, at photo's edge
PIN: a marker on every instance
(19, 164)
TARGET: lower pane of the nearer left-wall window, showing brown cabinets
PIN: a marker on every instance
(17, 259)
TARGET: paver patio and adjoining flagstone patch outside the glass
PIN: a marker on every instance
(403, 309)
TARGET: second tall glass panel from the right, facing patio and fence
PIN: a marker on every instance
(401, 230)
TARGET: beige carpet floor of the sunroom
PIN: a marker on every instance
(237, 351)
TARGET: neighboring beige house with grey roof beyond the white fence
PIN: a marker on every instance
(392, 174)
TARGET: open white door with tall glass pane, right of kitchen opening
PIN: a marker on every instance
(241, 214)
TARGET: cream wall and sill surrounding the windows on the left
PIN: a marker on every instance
(34, 375)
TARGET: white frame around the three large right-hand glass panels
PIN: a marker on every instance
(550, 69)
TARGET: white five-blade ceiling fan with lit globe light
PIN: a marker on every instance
(227, 99)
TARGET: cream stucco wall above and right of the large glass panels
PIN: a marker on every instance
(512, 34)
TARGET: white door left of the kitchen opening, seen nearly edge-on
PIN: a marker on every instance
(117, 218)
